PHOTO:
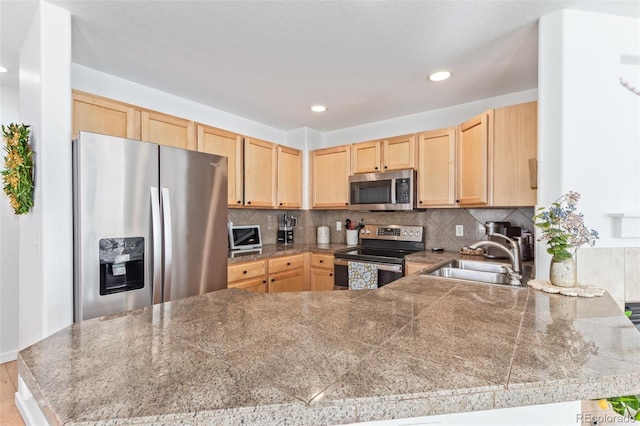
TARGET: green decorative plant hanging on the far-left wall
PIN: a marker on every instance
(17, 176)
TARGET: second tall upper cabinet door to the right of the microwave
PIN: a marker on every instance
(474, 153)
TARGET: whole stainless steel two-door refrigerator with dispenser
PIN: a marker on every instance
(150, 224)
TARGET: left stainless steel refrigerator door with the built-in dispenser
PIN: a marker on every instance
(113, 180)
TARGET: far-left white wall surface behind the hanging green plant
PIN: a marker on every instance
(9, 232)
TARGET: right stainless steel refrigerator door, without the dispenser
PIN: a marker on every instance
(194, 206)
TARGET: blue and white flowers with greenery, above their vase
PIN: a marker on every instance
(563, 227)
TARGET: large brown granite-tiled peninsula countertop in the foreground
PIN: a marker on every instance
(418, 346)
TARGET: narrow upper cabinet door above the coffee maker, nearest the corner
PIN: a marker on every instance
(289, 178)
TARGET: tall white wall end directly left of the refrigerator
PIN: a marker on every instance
(46, 284)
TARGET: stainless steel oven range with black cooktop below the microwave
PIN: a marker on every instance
(384, 246)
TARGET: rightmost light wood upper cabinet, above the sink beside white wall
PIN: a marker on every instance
(494, 153)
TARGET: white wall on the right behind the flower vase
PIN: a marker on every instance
(589, 125)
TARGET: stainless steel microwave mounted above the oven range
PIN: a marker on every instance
(383, 191)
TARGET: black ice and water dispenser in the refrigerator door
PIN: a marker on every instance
(121, 264)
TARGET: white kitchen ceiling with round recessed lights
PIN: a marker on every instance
(270, 60)
